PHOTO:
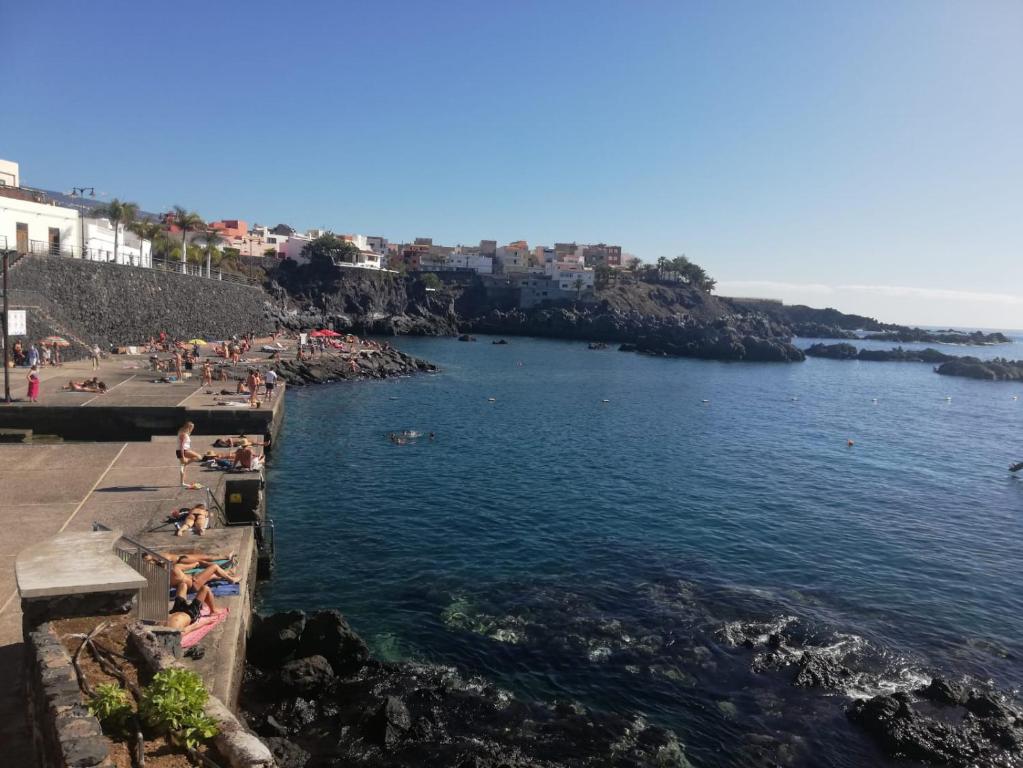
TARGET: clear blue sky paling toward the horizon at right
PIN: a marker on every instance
(868, 156)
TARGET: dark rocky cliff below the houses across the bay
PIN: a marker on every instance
(663, 320)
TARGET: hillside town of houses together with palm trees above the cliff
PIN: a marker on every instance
(76, 224)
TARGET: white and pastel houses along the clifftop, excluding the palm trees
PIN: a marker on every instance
(36, 221)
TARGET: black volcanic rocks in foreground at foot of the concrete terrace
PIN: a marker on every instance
(318, 698)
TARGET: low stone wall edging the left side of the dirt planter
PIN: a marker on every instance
(64, 732)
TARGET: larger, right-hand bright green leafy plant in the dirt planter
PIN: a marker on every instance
(175, 701)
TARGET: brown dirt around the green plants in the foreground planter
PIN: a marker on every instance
(160, 753)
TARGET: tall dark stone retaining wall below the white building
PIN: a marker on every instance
(110, 304)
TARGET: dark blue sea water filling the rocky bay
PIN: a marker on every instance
(601, 527)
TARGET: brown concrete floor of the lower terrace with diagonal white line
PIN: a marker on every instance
(66, 487)
